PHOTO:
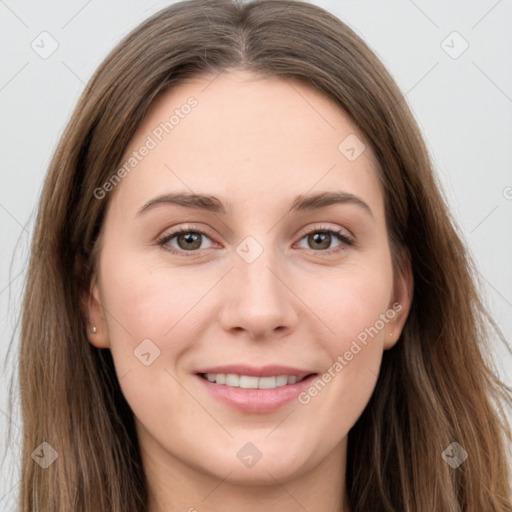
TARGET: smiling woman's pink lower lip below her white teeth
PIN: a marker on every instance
(256, 400)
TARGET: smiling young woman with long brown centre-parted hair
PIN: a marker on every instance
(262, 370)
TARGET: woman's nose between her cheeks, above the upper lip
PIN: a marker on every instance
(260, 302)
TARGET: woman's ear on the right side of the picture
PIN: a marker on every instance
(403, 290)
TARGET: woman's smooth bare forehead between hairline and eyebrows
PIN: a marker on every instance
(242, 136)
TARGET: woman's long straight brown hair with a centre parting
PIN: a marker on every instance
(437, 385)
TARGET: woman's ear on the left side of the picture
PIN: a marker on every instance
(92, 308)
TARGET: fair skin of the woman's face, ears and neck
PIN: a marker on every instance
(257, 143)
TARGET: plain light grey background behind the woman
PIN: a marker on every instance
(463, 105)
